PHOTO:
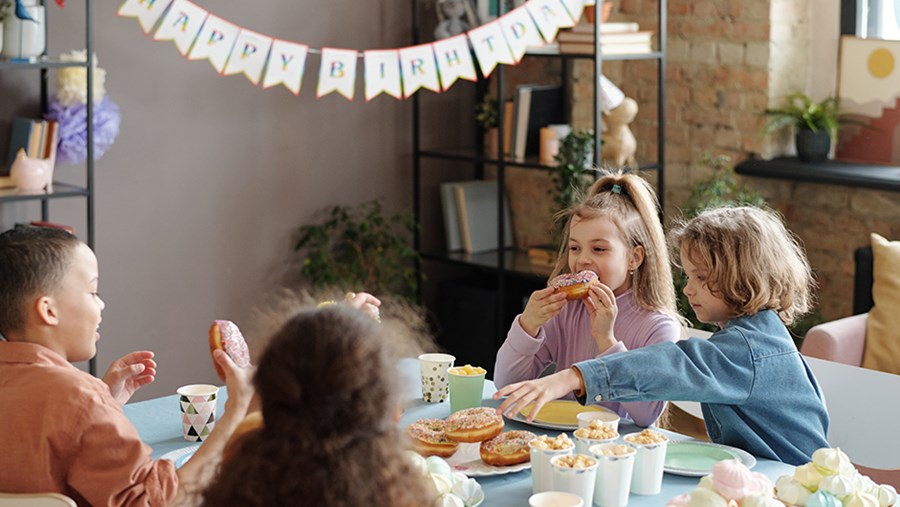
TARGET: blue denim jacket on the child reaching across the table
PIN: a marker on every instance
(756, 391)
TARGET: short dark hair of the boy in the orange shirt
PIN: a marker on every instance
(33, 260)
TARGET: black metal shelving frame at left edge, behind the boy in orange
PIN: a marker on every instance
(60, 189)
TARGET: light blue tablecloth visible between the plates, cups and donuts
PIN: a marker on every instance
(159, 424)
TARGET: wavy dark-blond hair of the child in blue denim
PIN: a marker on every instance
(754, 262)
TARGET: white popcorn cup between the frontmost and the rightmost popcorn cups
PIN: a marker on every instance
(615, 464)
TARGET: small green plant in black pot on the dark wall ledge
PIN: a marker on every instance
(815, 124)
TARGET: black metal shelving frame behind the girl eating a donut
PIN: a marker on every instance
(508, 264)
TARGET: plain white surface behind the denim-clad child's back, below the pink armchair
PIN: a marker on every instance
(863, 413)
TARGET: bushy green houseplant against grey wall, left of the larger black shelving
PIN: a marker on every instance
(360, 248)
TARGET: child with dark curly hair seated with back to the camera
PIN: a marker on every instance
(329, 387)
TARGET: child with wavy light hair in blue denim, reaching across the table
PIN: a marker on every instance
(747, 274)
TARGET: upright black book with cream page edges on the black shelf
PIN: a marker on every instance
(536, 106)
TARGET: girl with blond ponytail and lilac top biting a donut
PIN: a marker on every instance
(614, 232)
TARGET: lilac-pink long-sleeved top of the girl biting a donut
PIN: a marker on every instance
(566, 339)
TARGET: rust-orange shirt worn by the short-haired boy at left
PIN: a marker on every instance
(61, 431)
